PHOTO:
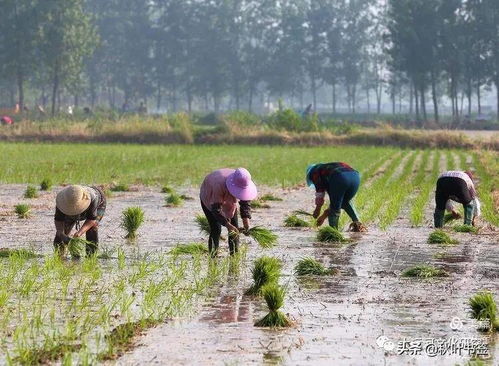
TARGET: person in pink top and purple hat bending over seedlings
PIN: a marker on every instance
(219, 194)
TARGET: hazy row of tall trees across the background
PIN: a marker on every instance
(236, 53)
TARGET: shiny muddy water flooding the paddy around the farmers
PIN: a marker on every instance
(338, 319)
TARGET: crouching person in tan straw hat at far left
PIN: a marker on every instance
(74, 204)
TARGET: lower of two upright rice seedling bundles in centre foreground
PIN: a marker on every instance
(274, 297)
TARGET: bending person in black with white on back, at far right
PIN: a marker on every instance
(459, 187)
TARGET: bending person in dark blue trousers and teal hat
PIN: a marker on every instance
(341, 182)
